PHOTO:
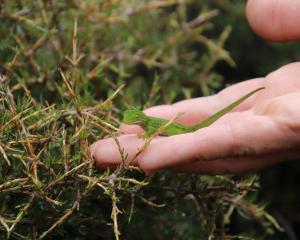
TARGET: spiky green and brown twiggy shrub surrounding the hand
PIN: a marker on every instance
(69, 69)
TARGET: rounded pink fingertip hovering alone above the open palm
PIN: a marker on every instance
(276, 20)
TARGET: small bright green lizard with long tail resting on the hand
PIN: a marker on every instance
(151, 124)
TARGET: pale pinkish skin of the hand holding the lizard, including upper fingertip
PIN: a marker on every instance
(261, 131)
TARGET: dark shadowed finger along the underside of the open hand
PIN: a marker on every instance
(237, 165)
